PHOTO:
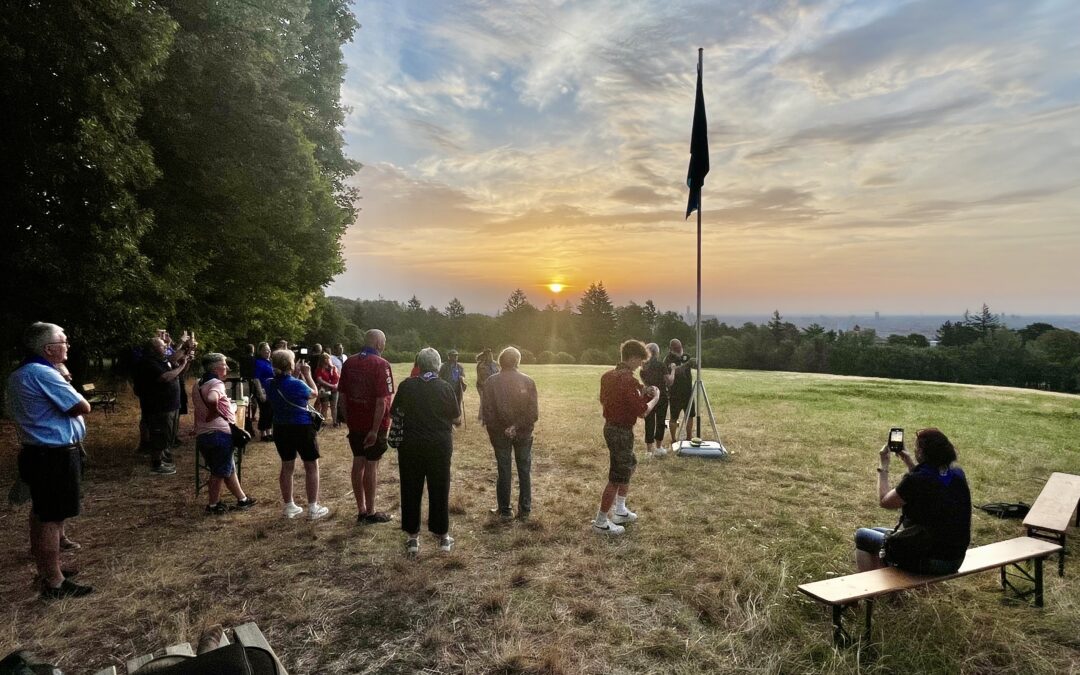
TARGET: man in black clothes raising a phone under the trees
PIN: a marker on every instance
(158, 388)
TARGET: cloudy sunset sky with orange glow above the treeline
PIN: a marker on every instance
(902, 157)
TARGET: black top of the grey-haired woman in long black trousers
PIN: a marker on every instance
(429, 407)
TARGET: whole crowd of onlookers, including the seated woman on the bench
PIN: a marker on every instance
(292, 397)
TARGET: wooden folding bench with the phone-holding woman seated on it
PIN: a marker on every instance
(844, 591)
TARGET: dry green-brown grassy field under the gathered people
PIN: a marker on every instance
(706, 582)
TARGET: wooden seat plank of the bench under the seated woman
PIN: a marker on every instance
(854, 588)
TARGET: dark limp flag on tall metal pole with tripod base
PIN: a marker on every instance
(695, 180)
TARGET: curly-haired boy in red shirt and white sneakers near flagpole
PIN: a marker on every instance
(625, 401)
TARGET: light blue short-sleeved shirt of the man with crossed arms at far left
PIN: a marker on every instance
(38, 400)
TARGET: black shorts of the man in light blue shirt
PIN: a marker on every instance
(55, 478)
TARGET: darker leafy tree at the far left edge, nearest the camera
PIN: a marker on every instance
(73, 161)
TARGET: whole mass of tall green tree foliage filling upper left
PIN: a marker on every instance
(171, 164)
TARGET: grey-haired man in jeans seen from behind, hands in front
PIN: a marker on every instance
(511, 411)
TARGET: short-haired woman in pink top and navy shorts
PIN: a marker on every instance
(214, 413)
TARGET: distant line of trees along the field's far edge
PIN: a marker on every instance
(976, 349)
